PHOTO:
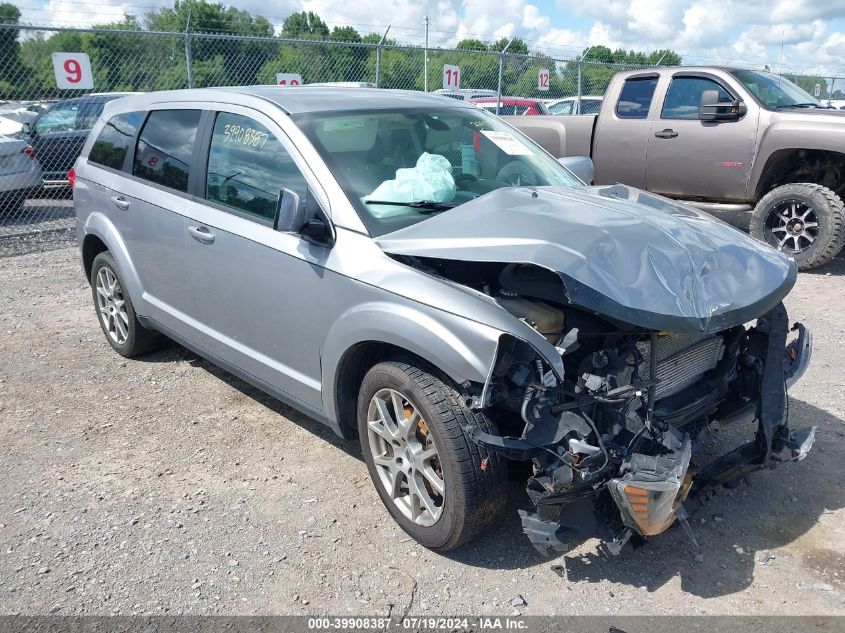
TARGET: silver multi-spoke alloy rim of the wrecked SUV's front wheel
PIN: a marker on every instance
(405, 456)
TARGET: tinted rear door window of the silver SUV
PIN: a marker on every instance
(165, 146)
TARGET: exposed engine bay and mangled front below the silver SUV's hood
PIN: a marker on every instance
(612, 441)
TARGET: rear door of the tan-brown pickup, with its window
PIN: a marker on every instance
(622, 131)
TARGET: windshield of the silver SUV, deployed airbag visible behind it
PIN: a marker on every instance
(400, 166)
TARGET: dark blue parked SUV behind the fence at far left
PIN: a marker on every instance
(58, 133)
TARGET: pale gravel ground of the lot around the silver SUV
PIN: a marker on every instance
(164, 485)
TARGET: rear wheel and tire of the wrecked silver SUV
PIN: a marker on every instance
(132, 339)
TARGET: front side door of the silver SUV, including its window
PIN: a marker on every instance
(255, 287)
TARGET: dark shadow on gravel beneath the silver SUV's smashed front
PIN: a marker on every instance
(740, 527)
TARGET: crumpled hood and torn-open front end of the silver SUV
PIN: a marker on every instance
(646, 309)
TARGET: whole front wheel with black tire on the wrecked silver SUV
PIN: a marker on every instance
(474, 494)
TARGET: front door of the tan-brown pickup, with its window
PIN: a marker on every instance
(689, 158)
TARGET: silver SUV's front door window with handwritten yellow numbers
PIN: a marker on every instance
(248, 167)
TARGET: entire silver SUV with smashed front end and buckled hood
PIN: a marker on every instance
(413, 271)
